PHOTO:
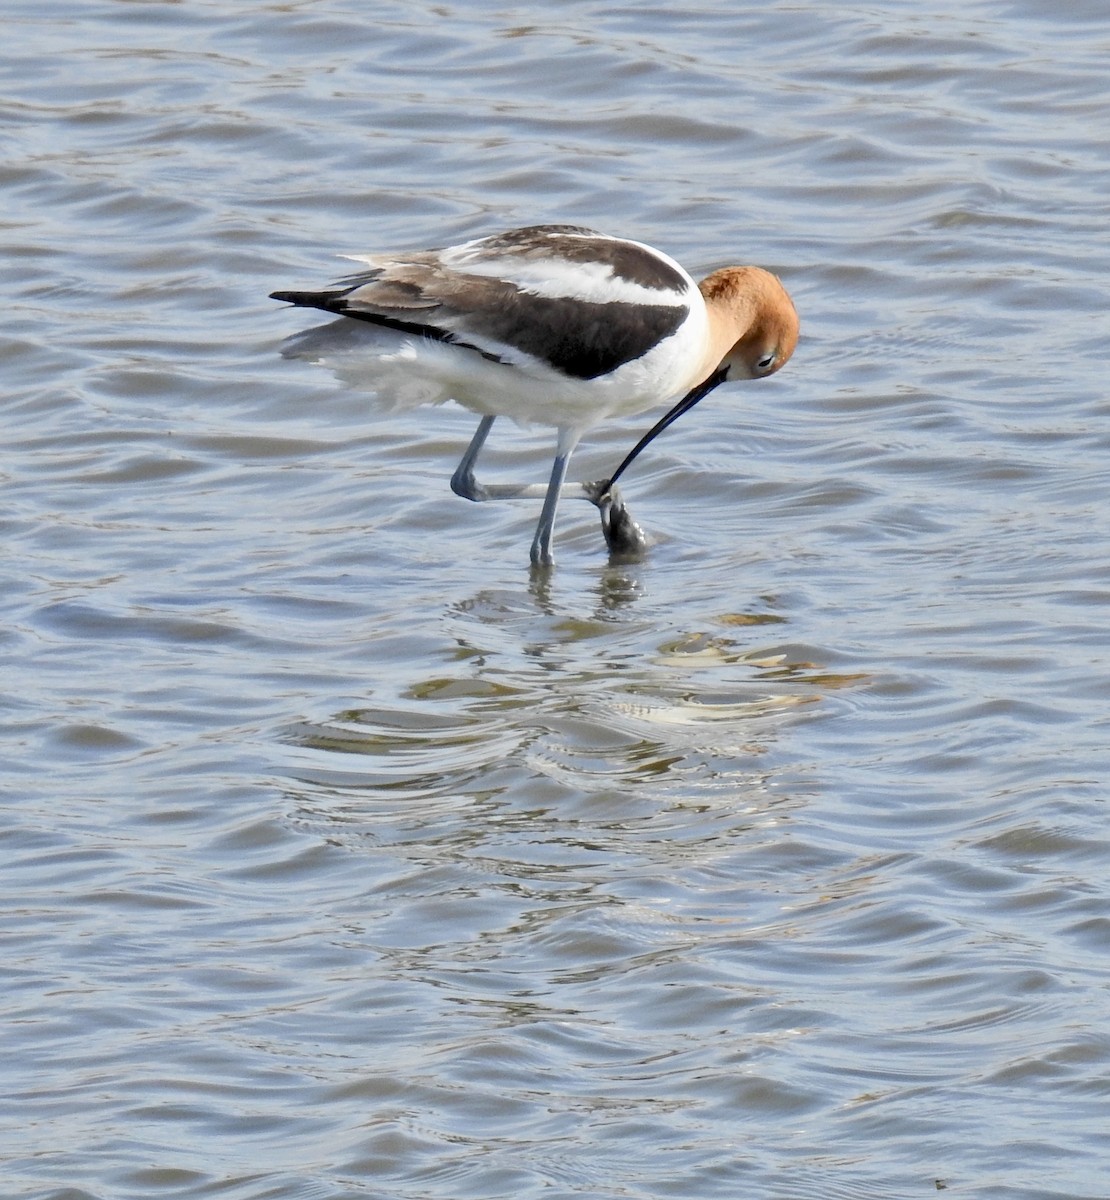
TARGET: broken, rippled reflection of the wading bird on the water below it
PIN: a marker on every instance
(562, 695)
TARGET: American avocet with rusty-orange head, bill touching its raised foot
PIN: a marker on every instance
(550, 325)
